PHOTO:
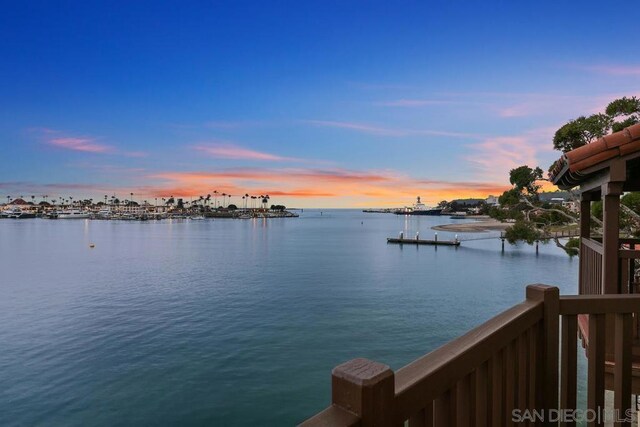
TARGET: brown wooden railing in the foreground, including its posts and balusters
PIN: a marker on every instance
(512, 362)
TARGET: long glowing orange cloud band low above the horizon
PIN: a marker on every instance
(352, 187)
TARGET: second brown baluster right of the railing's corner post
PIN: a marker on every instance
(596, 352)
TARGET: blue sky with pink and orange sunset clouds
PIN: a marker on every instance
(316, 103)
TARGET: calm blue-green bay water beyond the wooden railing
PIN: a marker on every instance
(232, 322)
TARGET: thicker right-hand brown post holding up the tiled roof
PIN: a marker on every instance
(610, 237)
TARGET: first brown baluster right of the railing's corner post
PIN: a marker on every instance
(569, 363)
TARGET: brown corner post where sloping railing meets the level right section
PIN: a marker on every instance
(550, 297)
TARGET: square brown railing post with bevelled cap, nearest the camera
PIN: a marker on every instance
(365, 388)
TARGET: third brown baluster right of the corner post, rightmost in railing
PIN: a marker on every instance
(622, 370)
